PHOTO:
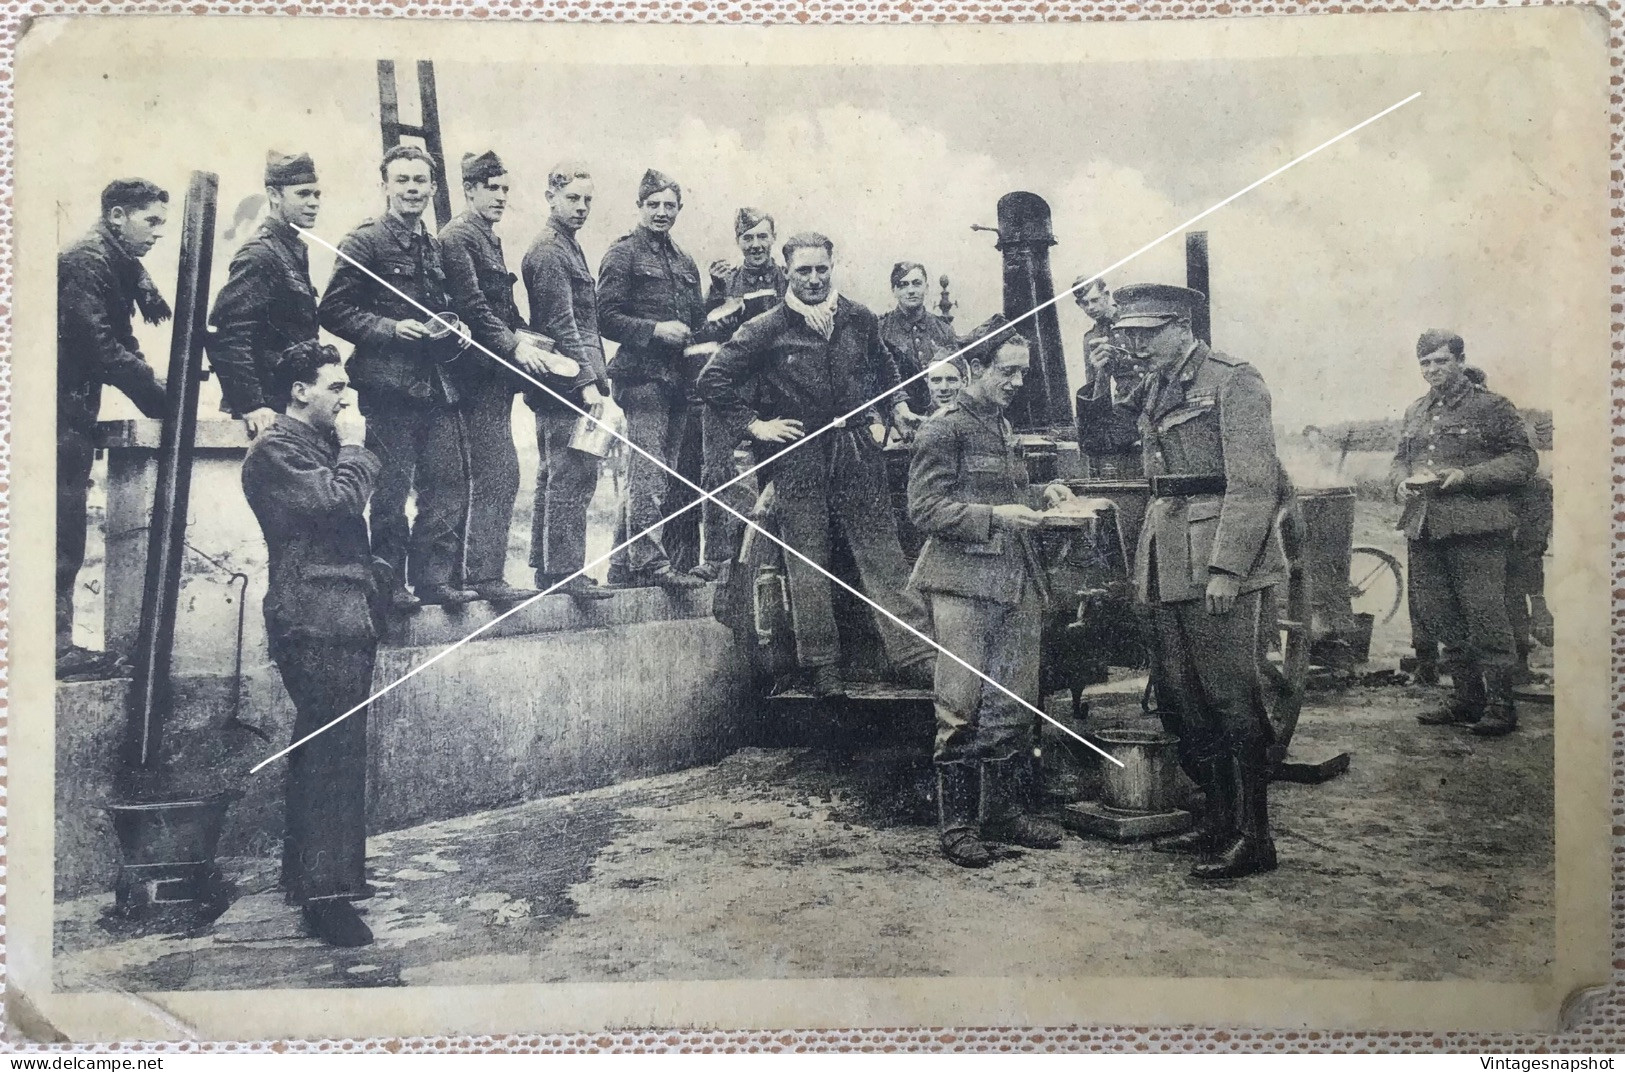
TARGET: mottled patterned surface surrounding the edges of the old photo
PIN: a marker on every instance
(1597, 1024)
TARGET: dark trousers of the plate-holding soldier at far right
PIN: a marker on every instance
(1458, 587)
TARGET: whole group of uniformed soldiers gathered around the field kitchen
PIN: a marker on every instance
(774, 361)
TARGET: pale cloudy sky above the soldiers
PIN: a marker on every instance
(1324, 279)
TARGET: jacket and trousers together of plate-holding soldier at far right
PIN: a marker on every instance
(1458, 538)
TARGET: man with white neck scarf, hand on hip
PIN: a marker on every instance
(792, 371)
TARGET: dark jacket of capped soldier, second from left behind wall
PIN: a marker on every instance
(267, 306)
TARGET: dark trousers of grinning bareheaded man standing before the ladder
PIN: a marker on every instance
(423, 451)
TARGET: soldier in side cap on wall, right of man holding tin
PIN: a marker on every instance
(649, 301)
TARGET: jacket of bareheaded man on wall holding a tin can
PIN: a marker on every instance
(565, 308)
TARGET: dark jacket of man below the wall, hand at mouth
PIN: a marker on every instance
(311, 496)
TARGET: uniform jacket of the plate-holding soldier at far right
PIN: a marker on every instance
(1478, 433)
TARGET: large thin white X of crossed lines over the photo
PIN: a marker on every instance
(808, 438)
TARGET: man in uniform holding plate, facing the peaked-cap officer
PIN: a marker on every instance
(968, 493)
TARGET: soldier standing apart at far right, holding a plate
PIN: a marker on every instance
(1463, 452)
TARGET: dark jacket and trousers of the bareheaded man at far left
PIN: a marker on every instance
(98, 287)
